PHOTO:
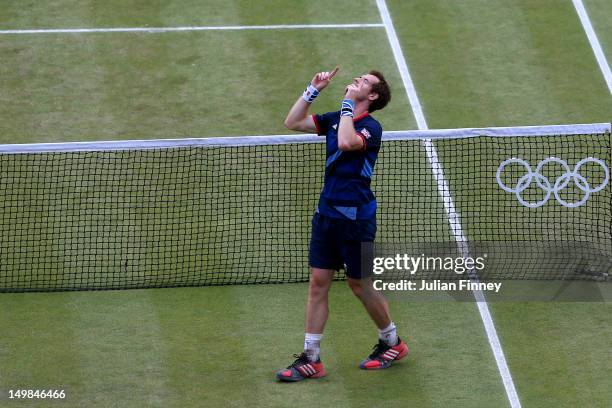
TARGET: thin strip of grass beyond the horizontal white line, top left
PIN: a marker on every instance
(156, 13)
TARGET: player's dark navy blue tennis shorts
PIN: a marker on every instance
(337, 244)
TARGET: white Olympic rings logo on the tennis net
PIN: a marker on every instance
(555, 187)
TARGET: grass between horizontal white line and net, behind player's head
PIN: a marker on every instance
(143, 86)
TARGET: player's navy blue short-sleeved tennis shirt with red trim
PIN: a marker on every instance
(346, 190)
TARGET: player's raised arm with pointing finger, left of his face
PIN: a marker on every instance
(298, 118)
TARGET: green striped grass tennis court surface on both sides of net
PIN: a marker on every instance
(473, 63)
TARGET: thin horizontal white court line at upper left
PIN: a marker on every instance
(187, 28)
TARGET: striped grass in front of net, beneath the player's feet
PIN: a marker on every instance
(221, 346)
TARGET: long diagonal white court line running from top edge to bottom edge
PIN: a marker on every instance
(449, 206)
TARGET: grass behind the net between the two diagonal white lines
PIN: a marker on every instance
(501, 63)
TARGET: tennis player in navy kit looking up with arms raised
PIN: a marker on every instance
(345, 217)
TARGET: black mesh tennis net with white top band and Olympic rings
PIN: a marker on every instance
(191, 212)
